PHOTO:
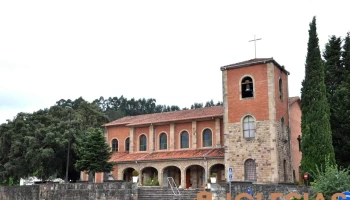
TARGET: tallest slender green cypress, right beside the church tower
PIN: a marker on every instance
(316, 142)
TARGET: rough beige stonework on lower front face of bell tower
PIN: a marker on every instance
(241, 149)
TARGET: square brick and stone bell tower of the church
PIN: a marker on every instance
(256, 120)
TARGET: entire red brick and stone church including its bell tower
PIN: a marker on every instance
(256, 134)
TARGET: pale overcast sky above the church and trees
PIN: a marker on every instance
(168, 50)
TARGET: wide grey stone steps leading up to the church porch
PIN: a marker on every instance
(159, 193)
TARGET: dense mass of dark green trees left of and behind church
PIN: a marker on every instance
(36, 144)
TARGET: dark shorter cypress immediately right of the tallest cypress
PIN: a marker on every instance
(334, 75)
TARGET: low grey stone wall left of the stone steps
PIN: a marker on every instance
(100, 191)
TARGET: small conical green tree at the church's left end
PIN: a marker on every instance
(94, 153)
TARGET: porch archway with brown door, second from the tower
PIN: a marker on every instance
(195, 175)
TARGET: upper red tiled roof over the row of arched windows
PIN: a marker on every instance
(215, 111)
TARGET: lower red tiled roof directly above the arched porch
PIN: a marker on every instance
(168, 155)
